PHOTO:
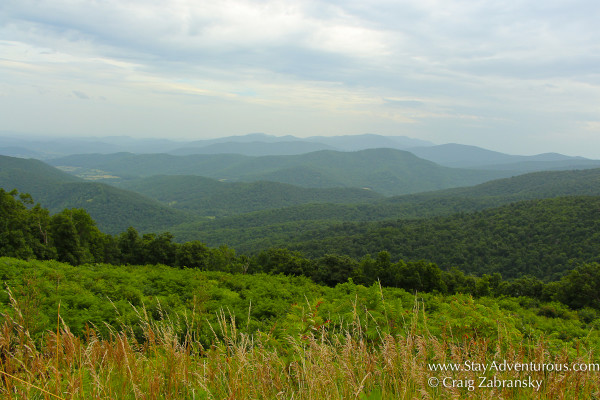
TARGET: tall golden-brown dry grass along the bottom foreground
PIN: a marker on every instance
(168, 362)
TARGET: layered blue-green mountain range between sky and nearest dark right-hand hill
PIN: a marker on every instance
(222, 194)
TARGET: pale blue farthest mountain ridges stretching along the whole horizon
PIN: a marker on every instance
(259, 144)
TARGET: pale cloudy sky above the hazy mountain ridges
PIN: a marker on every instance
(521, 77)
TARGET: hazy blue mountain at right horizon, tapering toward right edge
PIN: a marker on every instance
(464, 156)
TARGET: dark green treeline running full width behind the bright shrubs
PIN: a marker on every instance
(71, 236)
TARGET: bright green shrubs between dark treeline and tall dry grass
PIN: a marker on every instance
(284, 306)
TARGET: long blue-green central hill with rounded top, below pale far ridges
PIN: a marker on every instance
(386, 171)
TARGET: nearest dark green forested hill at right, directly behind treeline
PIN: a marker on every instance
(543, 238)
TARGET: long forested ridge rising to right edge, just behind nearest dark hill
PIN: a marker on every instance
(248, 230)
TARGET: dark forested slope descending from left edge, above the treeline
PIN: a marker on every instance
(114, 209)
